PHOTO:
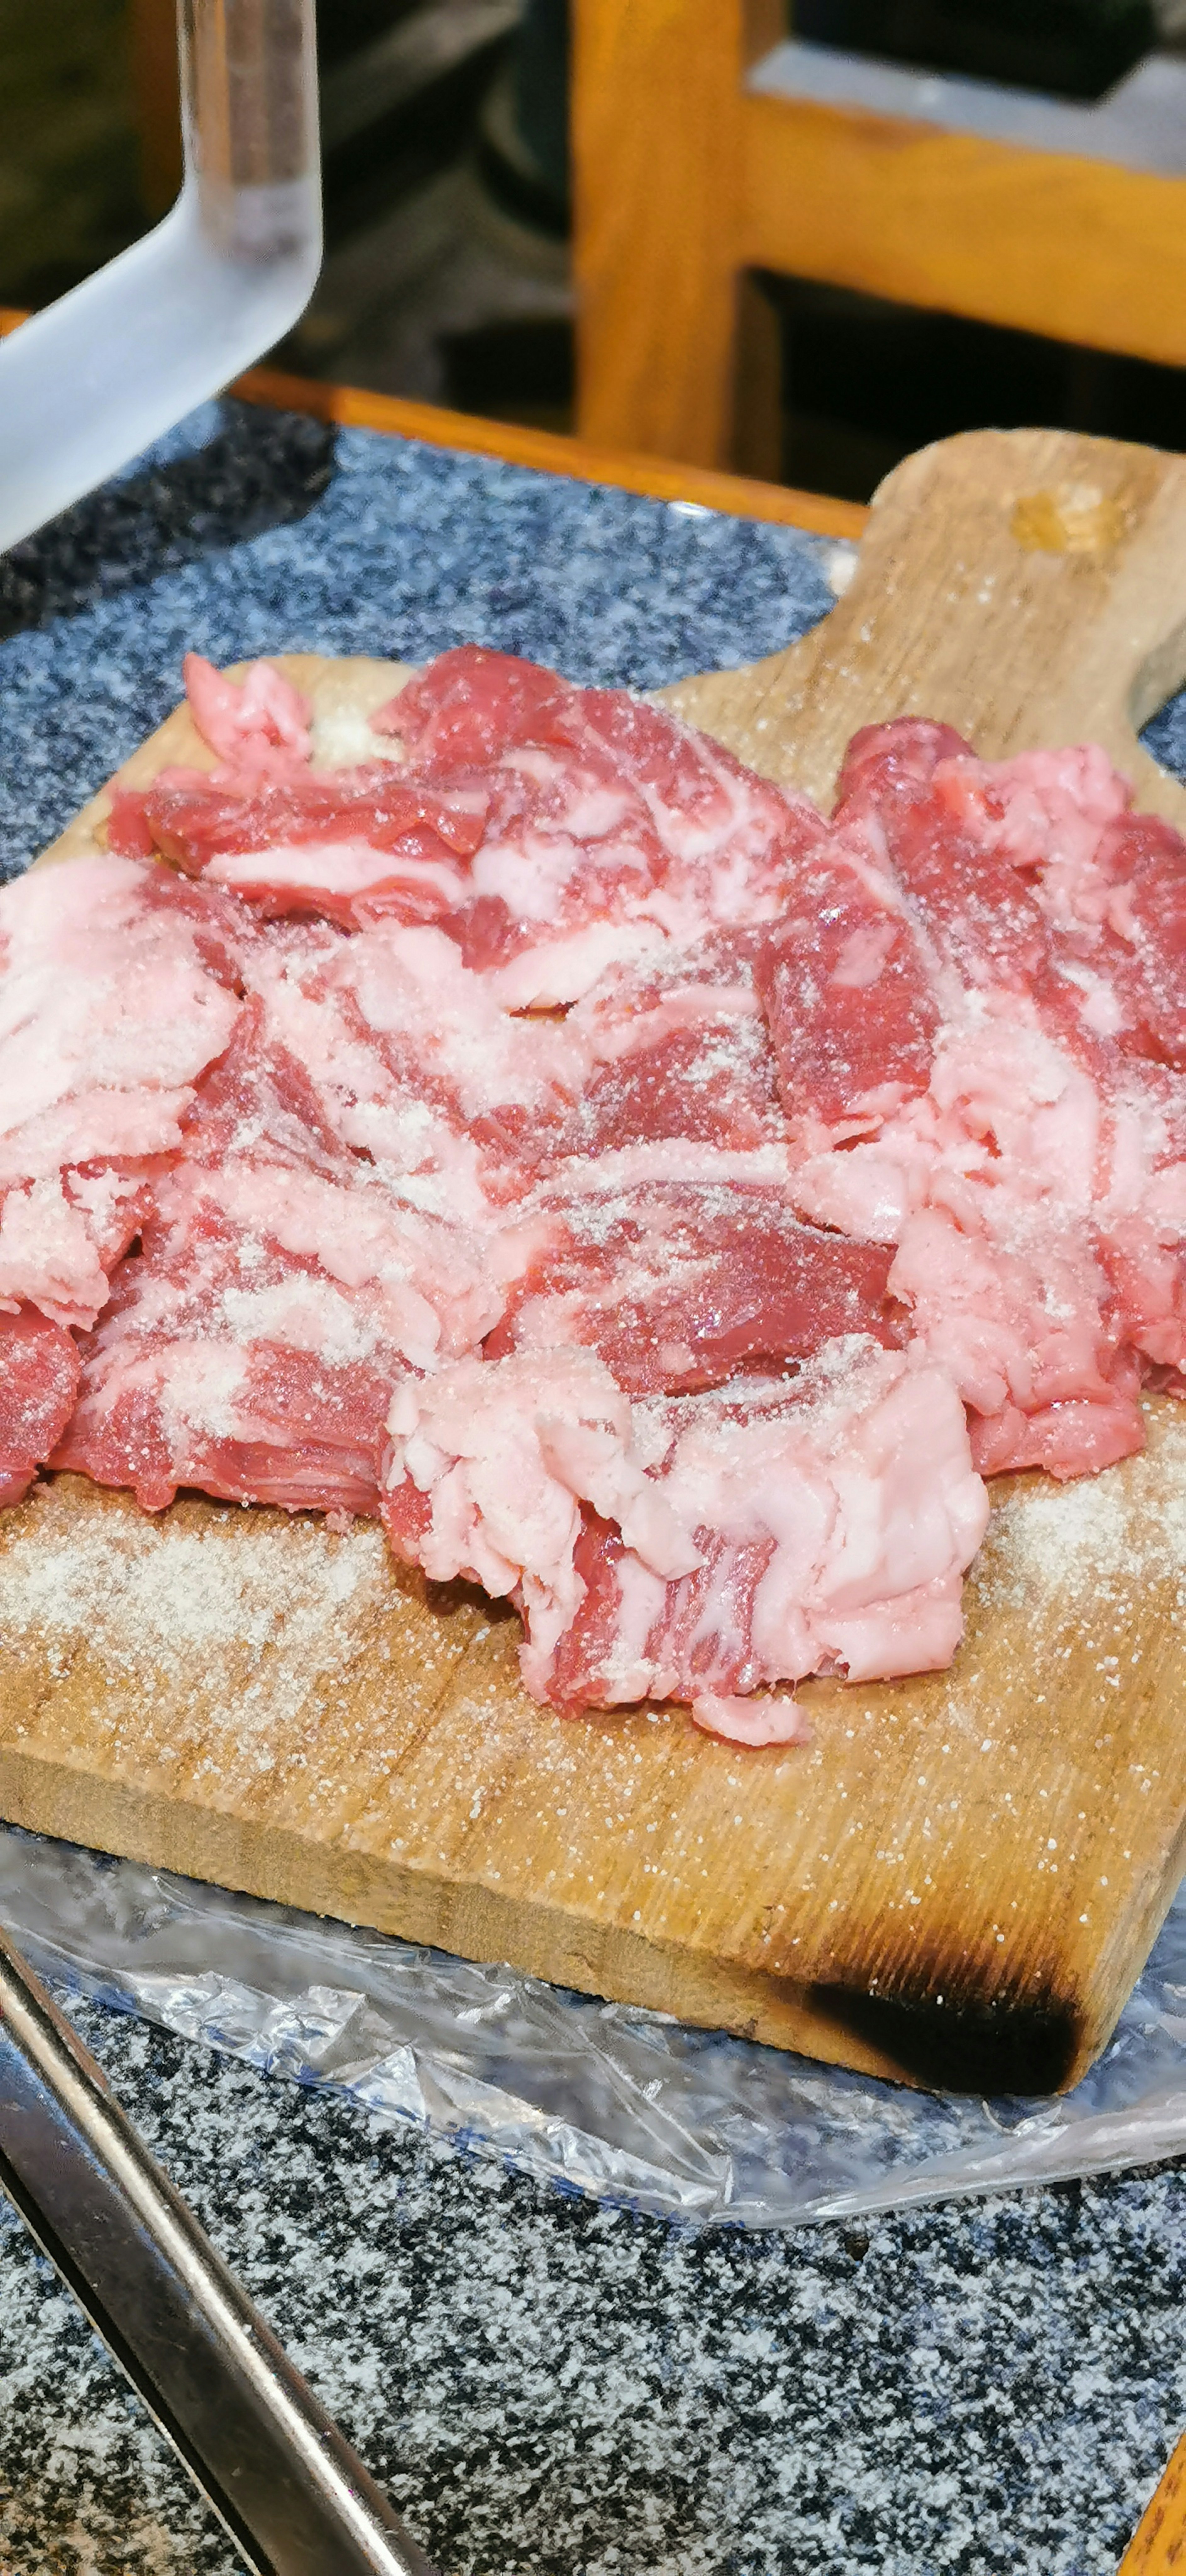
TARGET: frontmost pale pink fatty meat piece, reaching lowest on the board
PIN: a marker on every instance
(696, 1547)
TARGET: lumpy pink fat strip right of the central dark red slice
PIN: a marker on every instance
(989, 1191)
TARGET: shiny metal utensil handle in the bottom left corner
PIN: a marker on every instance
(251, 2433)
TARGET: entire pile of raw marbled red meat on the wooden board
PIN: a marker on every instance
(858, 1163)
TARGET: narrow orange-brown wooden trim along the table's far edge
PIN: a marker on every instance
(547, 452)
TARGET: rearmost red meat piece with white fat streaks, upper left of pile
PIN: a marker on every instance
(552, 828)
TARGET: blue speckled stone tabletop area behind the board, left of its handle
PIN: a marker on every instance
(256, 532)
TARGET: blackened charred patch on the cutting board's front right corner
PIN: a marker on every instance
(956, 2039)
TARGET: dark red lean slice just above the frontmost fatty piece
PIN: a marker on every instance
(686, 1287)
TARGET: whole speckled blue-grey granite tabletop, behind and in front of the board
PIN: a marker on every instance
(547, 2389)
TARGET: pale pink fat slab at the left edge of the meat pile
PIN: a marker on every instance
(114, 998)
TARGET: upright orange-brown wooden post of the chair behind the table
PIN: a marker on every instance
(657, 94)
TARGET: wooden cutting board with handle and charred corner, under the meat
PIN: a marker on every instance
(963, 1874)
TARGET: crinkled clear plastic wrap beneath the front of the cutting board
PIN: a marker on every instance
(601, 2098)
